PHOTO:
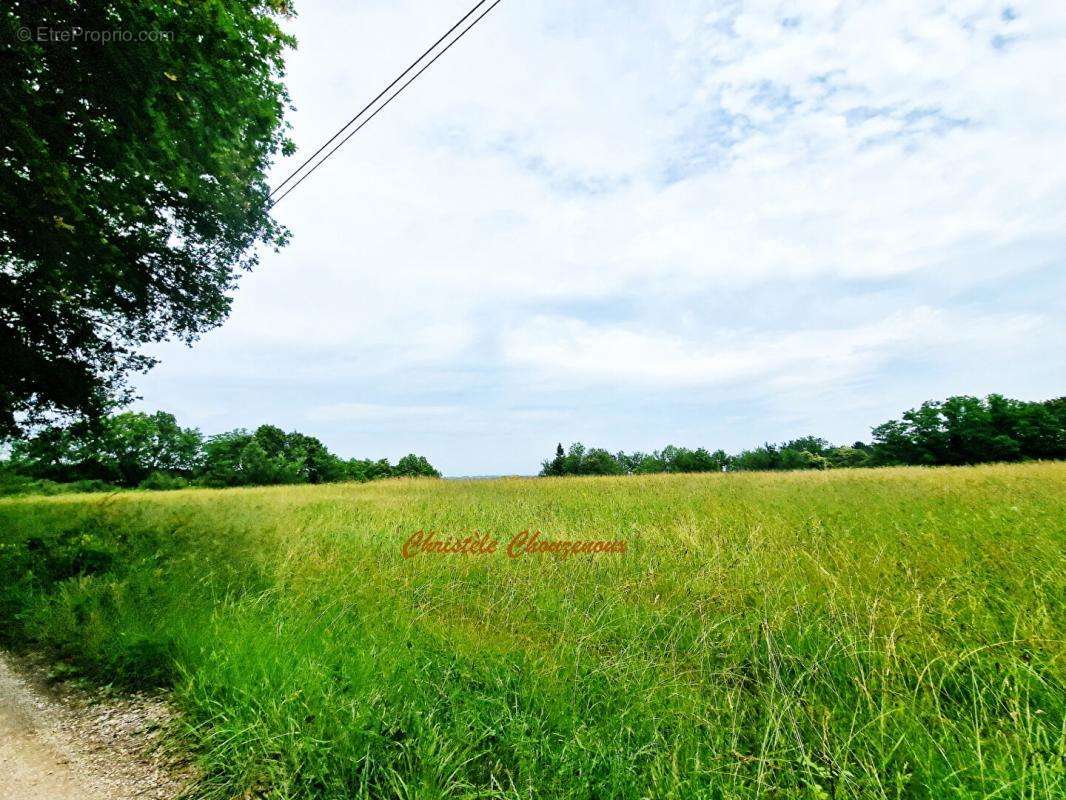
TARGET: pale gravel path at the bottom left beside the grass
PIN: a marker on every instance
(73, 745)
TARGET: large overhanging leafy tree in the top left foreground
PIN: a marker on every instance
(134, 147)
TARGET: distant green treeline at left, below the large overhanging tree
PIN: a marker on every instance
(153, 452)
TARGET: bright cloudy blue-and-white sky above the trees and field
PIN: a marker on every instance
(635, 225)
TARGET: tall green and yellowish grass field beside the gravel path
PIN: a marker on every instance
(852, 634)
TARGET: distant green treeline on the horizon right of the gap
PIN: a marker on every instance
(960, 430)
